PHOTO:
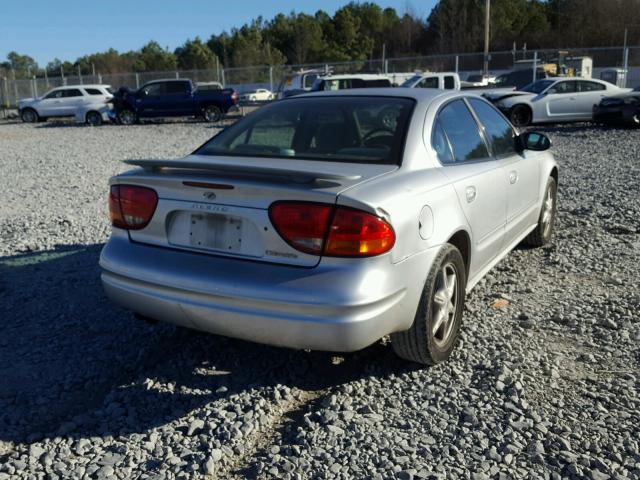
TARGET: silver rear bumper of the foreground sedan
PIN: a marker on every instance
(344, 306)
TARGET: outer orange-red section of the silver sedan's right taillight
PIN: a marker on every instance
(355, 233)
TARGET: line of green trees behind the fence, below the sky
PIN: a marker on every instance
(361, 31)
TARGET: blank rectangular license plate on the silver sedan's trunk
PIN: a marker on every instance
(216, 232)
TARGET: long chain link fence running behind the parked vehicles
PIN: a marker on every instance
(625, 60)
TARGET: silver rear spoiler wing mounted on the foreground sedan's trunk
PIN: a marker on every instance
(299, 175)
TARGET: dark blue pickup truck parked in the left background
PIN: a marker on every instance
(171, 98)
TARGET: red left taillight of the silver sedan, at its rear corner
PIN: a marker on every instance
(131, 207)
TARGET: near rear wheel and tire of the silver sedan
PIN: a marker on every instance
(434, 332)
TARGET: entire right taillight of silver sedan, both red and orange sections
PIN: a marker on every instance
(351, 232)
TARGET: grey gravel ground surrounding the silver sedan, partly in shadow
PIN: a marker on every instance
(545, 383)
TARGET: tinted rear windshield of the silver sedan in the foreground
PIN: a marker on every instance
(327, 128)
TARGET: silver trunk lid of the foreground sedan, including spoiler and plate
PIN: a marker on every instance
(219, 205)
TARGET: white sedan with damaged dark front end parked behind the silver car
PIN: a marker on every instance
(557, 99)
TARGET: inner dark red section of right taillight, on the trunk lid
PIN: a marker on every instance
(301, 225)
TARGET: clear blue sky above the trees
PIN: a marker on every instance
(68, 29)
